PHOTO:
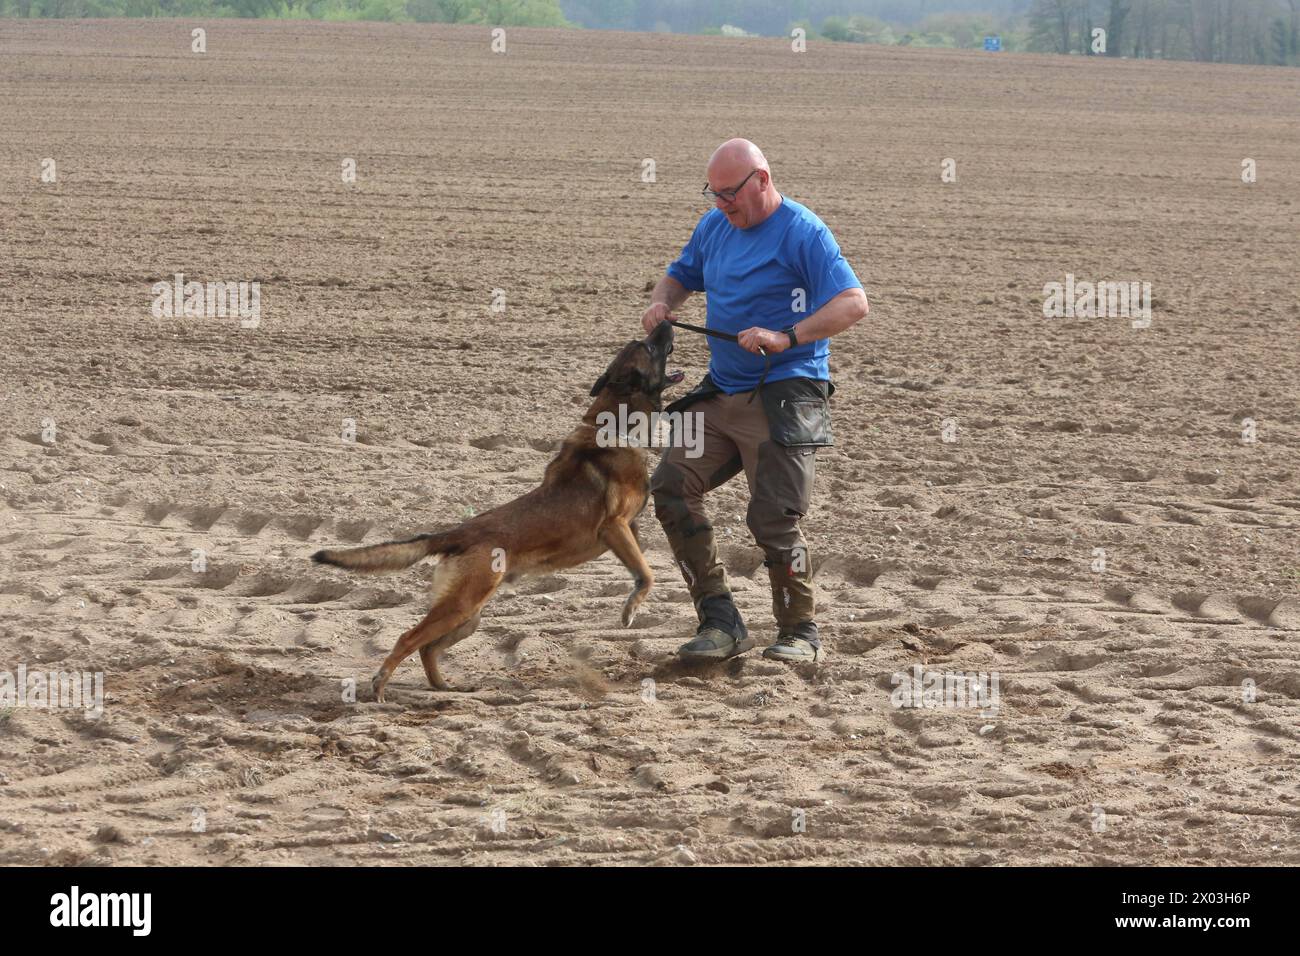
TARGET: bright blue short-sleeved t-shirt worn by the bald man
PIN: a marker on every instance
(764, 276)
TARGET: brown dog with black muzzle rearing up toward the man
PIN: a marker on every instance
(586, 507)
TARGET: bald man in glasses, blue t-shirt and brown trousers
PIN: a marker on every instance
(775, 278)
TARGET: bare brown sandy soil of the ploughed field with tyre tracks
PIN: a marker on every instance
(1125, 732)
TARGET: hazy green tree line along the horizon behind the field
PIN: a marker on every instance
(1242, 32)
